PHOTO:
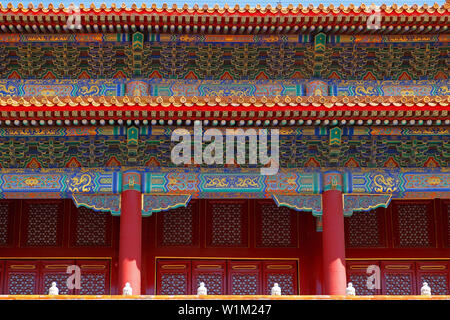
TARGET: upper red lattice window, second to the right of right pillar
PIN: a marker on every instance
(414, 225)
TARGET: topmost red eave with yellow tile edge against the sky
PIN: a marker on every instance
(226, 20)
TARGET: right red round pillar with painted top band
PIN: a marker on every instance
(333, 235)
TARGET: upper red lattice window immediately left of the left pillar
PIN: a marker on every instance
(90, 228)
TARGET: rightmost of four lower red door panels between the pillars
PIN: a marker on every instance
(282, 272)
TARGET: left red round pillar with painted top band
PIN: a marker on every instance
(130, 239)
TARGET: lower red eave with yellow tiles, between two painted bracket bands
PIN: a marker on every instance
(240, 110)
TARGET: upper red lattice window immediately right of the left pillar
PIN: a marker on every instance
(178, 225)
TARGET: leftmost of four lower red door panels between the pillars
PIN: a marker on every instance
(173, 277)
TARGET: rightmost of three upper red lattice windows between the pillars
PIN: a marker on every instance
(275, 226)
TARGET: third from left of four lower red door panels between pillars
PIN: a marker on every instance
(244, 277)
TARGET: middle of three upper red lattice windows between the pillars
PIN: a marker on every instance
(227, 224)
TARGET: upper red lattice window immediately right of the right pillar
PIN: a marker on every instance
(365, 229)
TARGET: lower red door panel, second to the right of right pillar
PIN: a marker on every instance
(398, 278)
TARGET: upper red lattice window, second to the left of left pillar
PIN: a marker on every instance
(43, 223)
